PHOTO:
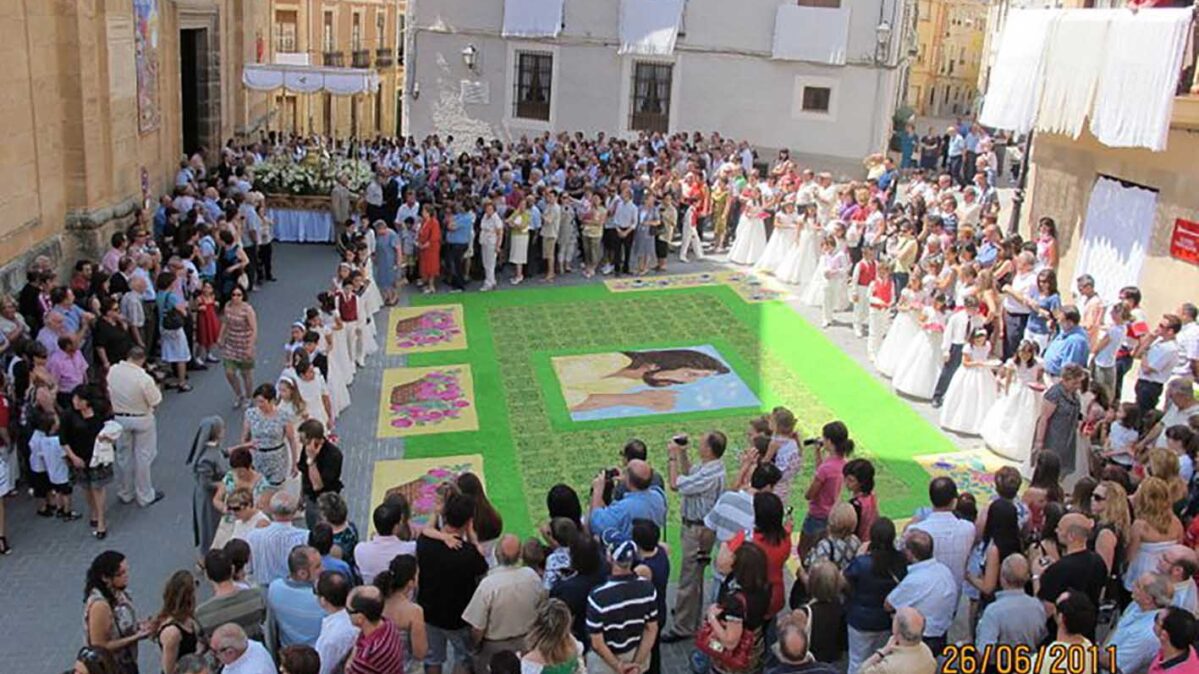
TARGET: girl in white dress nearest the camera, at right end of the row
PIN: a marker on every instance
(1011, 422)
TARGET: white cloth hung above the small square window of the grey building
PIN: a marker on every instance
(811, 34)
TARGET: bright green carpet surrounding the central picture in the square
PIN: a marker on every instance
(531, 443)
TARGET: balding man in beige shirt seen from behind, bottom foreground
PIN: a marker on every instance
(504, 606)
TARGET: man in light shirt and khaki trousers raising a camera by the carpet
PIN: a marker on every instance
(700, 486)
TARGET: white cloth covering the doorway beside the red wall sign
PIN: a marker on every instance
(1116, 236)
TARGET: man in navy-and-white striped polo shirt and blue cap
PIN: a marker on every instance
(622, 618)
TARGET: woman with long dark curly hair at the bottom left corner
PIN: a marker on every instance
(110, 618)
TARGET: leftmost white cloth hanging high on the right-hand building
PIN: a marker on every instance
(1015, 86)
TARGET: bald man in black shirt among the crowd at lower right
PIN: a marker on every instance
(1080, 569)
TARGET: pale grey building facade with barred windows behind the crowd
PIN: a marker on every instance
(468, 81)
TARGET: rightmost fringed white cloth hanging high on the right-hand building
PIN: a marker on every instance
(1135, 100)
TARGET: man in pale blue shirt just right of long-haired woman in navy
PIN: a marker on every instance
(930, 588)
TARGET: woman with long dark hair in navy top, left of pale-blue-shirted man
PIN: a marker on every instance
(871, 577)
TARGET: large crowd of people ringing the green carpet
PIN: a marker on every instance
(920, 267)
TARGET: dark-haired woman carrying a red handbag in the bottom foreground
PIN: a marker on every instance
(732, 635)
